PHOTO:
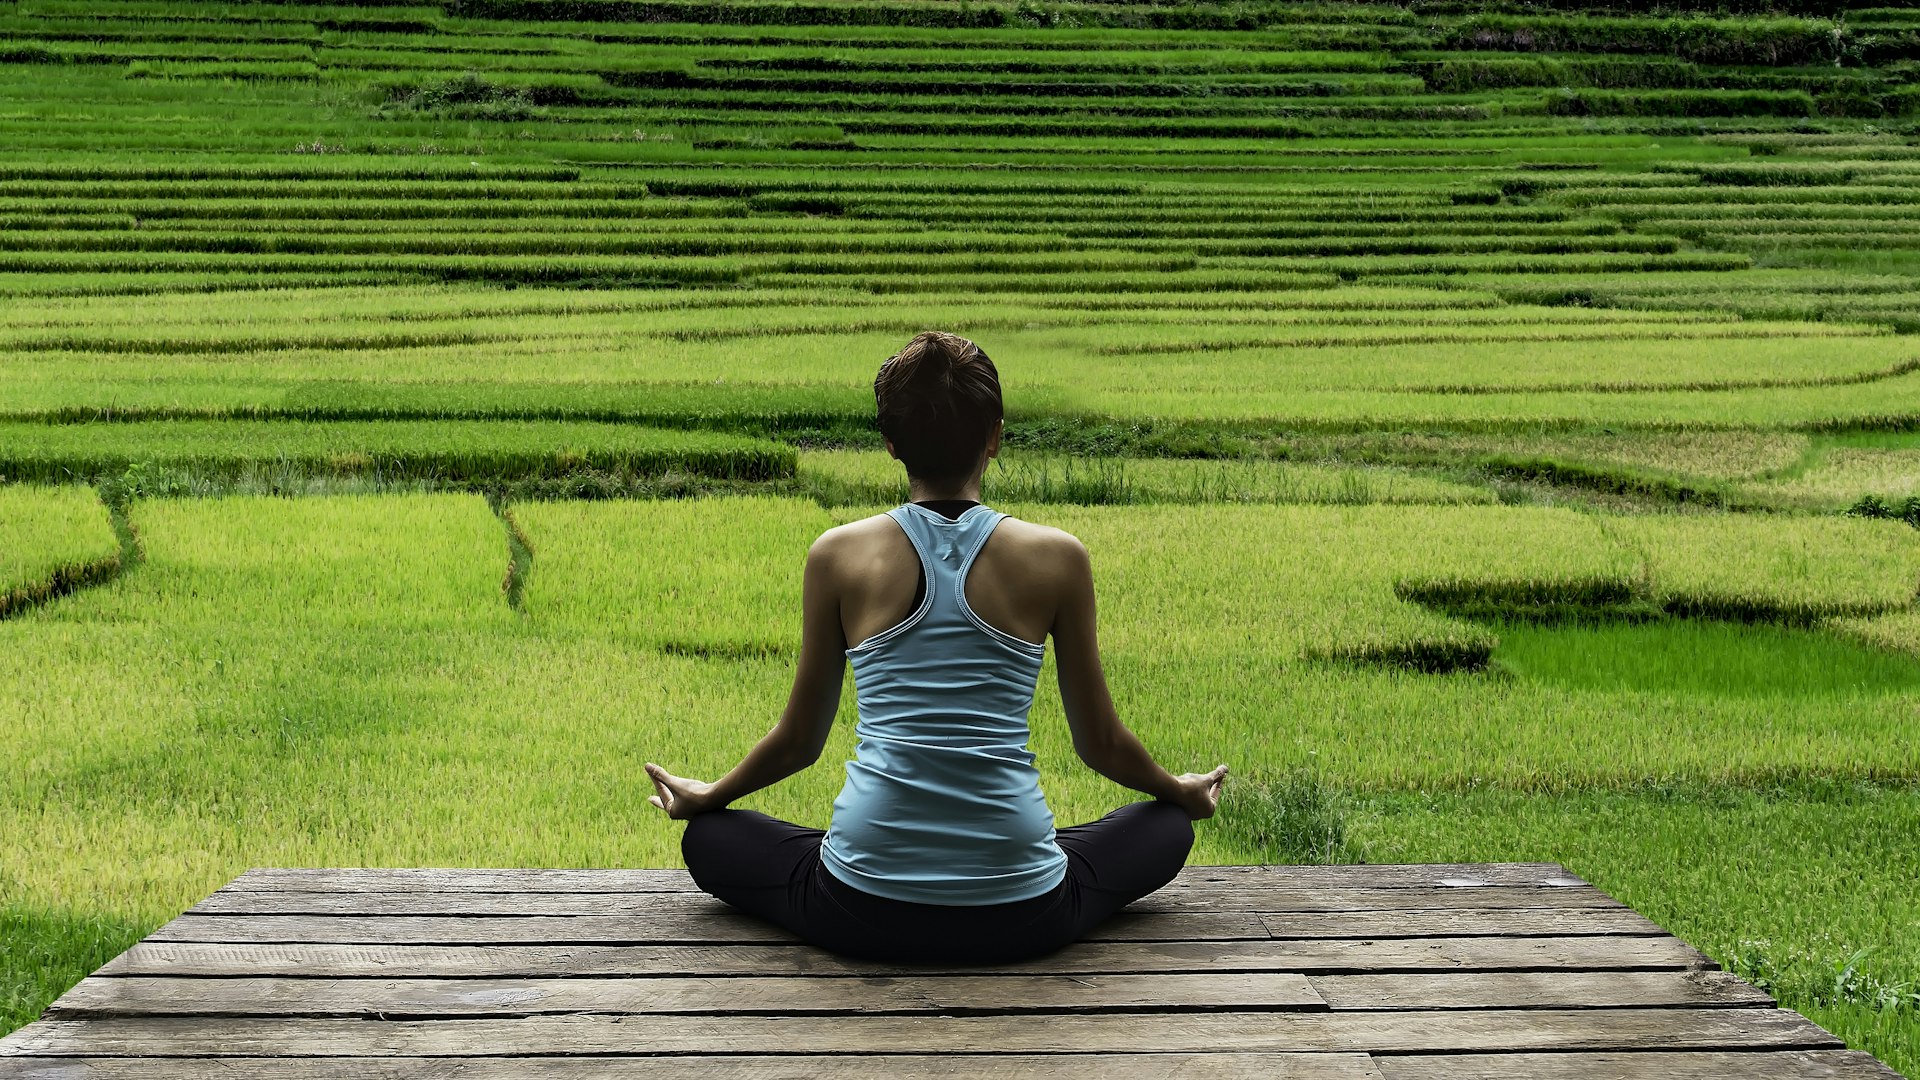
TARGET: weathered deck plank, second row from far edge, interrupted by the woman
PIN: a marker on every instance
(1257, 900)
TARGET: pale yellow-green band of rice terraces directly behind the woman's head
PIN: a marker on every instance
(786, 360)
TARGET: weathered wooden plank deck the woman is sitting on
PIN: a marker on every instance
(1232, 973)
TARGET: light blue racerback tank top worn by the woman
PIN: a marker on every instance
(944, 802)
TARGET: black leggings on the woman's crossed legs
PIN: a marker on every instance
(773, 870)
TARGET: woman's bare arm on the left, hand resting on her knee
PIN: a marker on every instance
(802, 731)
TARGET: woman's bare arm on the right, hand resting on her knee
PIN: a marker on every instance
(1101, 741)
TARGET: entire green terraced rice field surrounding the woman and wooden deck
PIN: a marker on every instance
(1462, 406)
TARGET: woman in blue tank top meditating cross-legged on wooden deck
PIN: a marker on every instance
(942, 847)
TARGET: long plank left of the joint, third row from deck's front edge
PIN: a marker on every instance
(418, 998)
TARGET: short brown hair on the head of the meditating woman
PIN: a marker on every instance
(938, 401)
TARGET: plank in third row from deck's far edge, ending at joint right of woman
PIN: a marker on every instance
(723, 927)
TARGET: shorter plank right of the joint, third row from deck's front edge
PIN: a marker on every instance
(1545, 989)
